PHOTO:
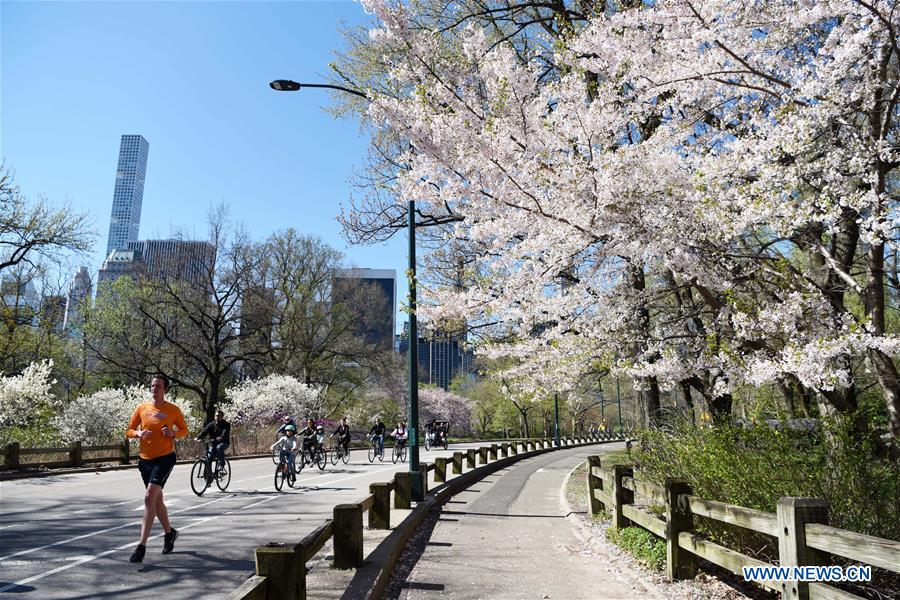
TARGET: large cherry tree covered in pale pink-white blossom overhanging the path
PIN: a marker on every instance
(703, 196)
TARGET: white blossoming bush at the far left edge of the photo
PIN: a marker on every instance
(25, 399)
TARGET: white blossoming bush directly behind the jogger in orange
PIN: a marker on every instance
(103, 416)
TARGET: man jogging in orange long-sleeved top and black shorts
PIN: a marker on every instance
(157, 424)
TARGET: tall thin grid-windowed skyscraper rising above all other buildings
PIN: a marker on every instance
(128, 196)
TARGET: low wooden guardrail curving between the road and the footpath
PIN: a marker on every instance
(281, 568)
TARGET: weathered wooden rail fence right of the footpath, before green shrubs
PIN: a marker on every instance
(800, 526)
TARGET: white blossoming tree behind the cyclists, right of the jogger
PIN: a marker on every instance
(261, 402)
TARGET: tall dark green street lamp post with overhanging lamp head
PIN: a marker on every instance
(415, 475)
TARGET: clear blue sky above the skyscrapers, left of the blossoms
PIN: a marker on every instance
(192, 78)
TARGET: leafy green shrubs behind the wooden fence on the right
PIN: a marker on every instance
(755, 465)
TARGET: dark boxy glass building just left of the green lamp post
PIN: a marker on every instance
(376, 289)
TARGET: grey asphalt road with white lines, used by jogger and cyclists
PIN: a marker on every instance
(70, 536)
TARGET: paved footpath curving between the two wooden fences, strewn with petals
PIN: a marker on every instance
(509, 537)
